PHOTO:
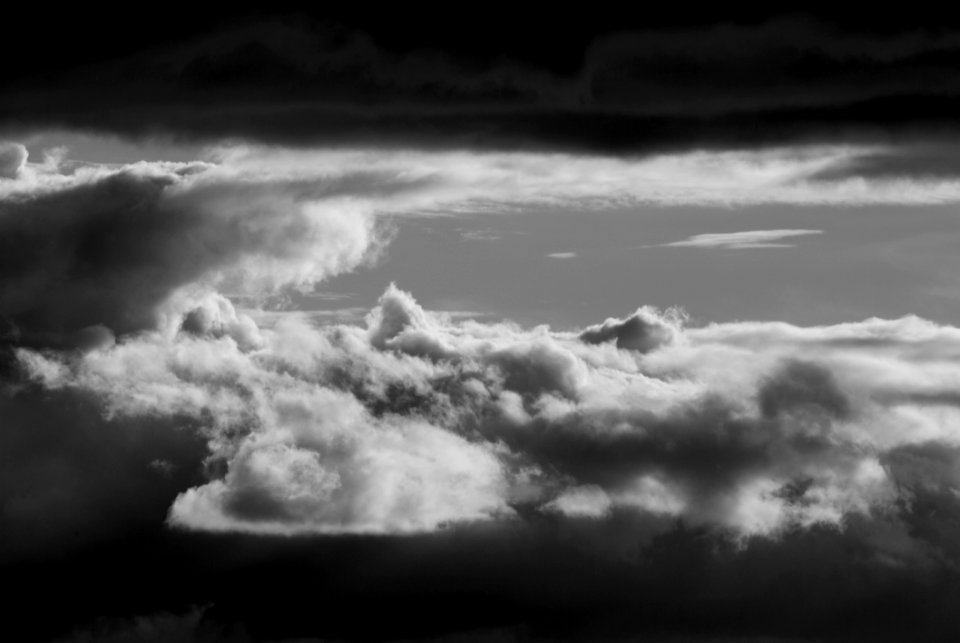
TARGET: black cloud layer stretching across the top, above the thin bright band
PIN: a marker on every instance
(623, 86)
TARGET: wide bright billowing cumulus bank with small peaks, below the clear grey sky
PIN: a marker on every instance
(416, 420)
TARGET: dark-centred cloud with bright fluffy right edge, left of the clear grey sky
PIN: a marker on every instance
(111, 247)
